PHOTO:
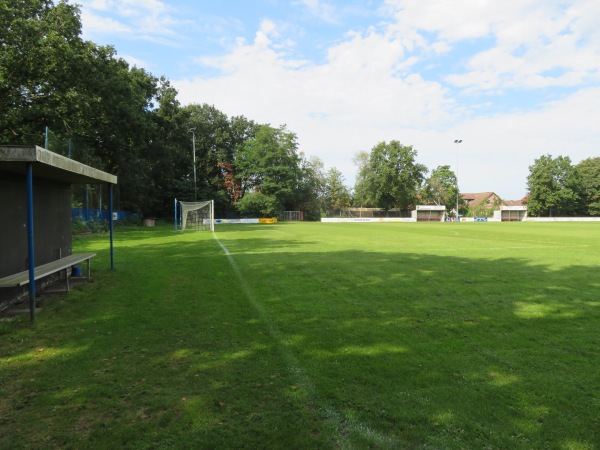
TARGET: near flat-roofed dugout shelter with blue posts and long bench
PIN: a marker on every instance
(35, 197)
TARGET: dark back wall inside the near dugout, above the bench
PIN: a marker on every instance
(52, 222)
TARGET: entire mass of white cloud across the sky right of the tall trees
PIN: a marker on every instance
(367, 91)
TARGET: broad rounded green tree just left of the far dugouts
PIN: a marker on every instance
(390, 177)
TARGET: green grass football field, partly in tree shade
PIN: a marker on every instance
(309, 335)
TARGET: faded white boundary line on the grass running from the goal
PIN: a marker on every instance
(342, 426)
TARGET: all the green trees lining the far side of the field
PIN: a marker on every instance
(126, 121)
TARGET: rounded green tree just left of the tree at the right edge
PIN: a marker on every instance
(554, 187)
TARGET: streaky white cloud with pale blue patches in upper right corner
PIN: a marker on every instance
(535, 43)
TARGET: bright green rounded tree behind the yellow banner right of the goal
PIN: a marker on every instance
(268, 165)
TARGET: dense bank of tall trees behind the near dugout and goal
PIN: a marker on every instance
(126, 121)
